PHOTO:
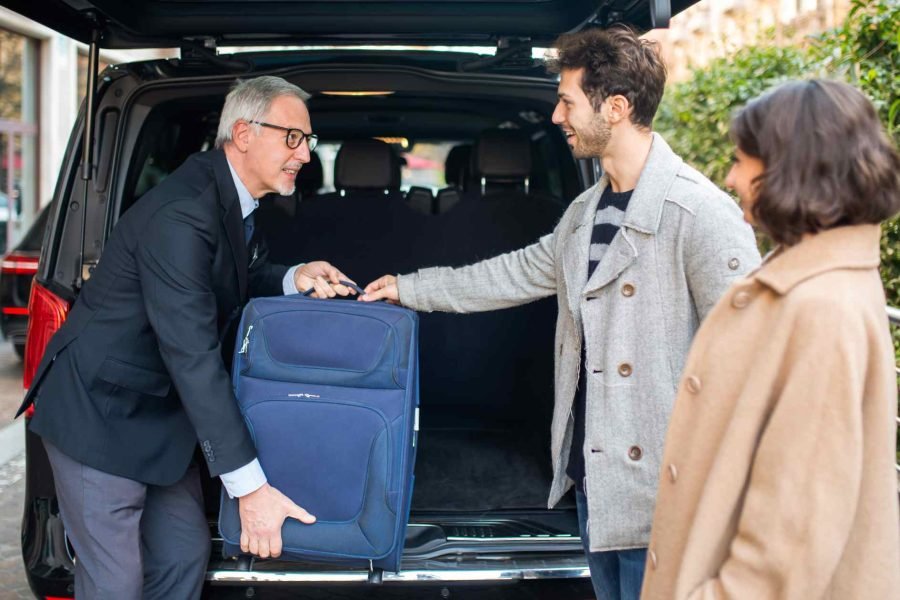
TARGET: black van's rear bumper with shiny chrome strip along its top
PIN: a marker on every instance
(553, 565)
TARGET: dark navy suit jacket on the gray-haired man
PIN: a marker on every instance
(137, 374)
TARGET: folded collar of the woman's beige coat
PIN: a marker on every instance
(850, 247)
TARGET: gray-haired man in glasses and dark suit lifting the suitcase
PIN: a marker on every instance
(136, 377)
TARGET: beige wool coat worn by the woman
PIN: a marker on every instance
(778, 476)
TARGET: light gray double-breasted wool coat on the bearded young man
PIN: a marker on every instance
(681, 244)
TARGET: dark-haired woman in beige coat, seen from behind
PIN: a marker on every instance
(778, 476)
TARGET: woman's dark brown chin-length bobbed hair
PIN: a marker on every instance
(827, 160)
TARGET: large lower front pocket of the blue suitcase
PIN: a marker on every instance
(333, 459)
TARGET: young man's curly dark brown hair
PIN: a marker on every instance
(616, 62)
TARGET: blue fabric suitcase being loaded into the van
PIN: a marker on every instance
(329, 391)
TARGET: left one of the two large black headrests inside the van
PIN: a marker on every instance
(366, 164)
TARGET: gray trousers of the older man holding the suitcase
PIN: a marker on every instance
(132, 540)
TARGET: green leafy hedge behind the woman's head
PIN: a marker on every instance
(864, 50)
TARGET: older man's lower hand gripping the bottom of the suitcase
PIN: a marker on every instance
(262, 514)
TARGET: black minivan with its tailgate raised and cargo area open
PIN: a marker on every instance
(467, 165)
